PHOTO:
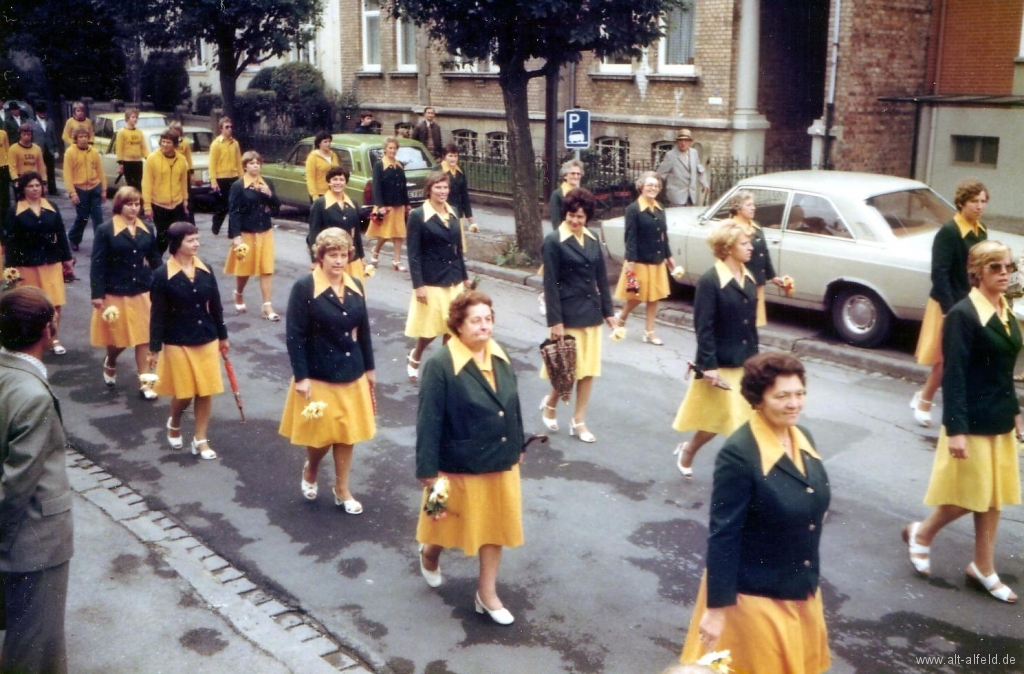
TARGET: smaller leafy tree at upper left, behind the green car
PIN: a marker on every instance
(243, 34)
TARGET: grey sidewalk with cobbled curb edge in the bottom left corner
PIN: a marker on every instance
(147, 597)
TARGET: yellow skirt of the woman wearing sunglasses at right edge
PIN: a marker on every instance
(988, 479)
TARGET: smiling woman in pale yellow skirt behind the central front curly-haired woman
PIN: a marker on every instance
(438, 268)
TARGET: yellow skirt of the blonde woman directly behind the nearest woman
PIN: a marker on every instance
(712, 409)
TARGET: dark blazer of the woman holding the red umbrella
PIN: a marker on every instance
(185, 313)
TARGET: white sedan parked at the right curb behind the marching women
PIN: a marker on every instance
(857, 245)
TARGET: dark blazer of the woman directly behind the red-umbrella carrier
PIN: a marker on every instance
(123, 265)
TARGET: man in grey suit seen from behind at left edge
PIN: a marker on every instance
(36, 537)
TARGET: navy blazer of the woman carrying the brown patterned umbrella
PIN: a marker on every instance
(576, 282)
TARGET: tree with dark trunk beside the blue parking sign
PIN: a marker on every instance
(533, 39)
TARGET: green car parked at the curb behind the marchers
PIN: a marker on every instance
(359, 154)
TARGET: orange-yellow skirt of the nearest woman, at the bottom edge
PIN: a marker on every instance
(766, 636)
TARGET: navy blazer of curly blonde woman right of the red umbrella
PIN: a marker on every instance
(328, 336)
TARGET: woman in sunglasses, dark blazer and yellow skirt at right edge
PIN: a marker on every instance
(976, 465)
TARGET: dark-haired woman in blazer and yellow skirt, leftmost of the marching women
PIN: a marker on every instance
(36, 244)
